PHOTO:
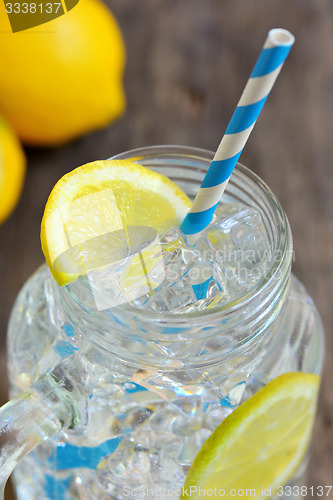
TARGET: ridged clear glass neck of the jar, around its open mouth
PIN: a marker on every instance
(152, 334)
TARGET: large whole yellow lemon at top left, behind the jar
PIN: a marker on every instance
(64, 78)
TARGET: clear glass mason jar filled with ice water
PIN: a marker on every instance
(147, 389)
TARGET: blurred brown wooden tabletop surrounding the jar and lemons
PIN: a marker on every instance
(188, 61)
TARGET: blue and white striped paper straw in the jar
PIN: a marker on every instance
(262, 79)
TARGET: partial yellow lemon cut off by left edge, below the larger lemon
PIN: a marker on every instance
(12, 170)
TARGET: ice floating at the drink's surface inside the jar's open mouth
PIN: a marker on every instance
(179, 275)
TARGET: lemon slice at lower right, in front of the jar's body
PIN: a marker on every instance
(260, 445)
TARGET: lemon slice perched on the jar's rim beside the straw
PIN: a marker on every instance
(92, 210)
